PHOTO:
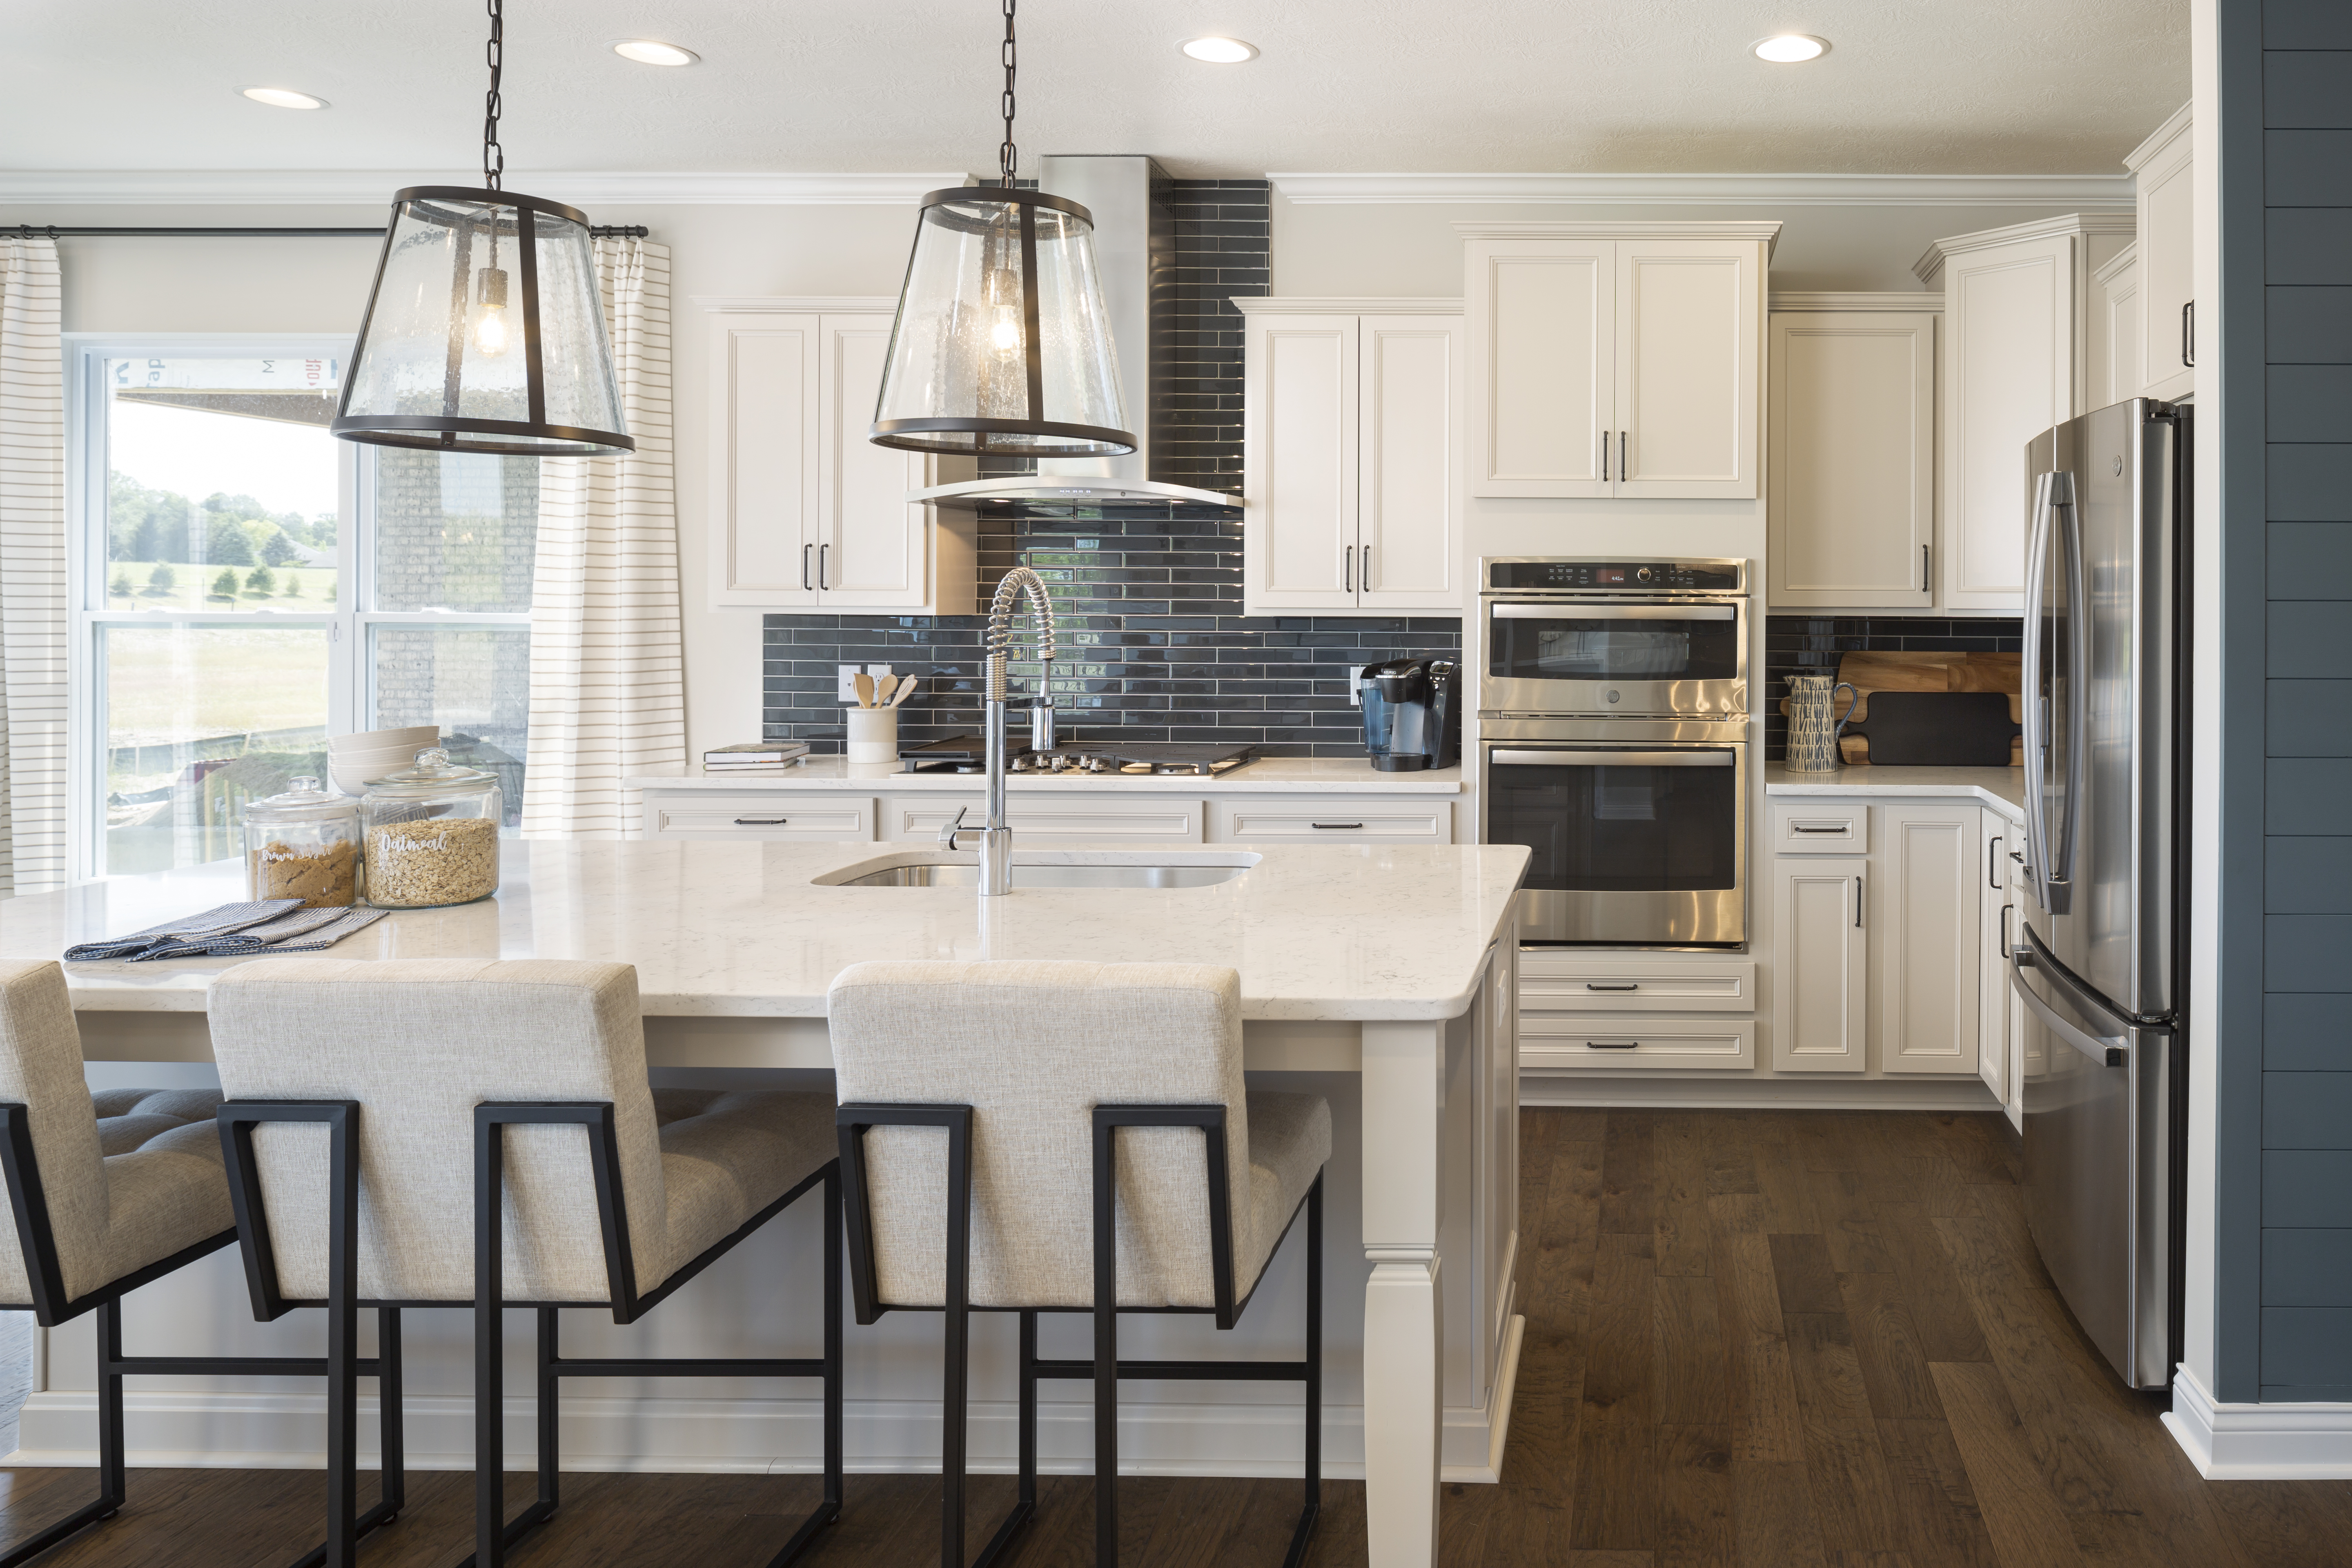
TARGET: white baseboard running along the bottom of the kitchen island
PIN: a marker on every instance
(742, 1435)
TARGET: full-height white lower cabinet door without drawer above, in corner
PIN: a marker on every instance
(1927, 939)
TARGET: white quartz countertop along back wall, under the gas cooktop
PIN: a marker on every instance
(1269, 777)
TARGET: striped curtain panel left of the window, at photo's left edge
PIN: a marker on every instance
(32, 572)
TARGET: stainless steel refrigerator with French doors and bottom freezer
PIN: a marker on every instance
(2099, 946)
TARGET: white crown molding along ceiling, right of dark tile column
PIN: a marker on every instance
(2073, 192)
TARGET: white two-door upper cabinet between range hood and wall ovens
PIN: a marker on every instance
(1351, 445)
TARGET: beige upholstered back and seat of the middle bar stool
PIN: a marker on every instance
(420, 1043)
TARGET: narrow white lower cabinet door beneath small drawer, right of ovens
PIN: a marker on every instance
(1819, 965)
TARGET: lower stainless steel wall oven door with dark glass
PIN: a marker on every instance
(1638, 845)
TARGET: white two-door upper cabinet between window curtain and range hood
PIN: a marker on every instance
(808, 511)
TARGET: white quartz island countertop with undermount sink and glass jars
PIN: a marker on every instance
(716, 930)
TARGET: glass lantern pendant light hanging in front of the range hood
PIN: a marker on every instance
(1001, 342)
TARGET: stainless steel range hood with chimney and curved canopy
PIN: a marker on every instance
(1135, 243)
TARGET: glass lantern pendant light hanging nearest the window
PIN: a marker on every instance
(486, 328)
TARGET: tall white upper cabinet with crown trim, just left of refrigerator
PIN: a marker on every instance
(2017, 361)
